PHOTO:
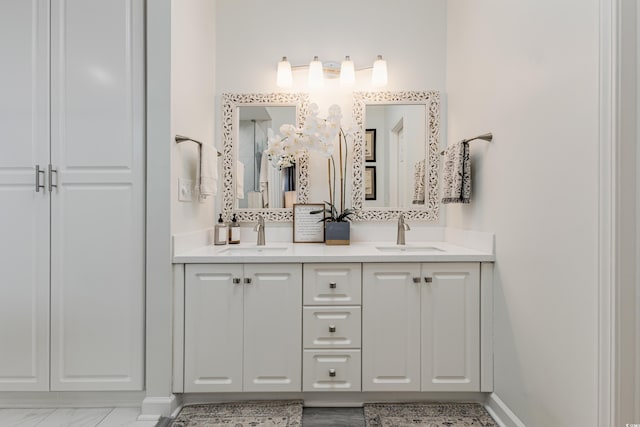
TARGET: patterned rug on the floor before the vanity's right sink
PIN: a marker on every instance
(427, 415)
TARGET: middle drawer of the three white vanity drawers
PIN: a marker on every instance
(331, 327)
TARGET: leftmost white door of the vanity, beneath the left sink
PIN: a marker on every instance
(213, 328)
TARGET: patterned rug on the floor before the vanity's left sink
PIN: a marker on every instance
(280, 413)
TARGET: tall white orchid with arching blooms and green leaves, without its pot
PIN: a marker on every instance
(317, 134)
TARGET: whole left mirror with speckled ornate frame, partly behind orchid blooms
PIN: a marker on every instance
(252, 186)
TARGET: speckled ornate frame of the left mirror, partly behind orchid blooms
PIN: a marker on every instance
(230, 121)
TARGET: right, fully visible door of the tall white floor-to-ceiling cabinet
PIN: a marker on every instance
(97, 209)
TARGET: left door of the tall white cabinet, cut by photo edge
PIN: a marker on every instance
(24, 213)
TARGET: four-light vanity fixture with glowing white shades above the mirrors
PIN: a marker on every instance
(319, 70)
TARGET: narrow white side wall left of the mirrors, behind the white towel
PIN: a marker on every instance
(193, 72)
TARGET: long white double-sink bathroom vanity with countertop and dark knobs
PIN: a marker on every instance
(369, 317)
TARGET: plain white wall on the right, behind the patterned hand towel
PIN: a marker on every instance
(528, 72)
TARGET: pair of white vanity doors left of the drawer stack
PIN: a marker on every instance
(243, 327)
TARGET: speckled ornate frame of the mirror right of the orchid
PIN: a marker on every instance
(431, 100)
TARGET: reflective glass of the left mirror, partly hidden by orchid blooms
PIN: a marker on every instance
(263, 185)
